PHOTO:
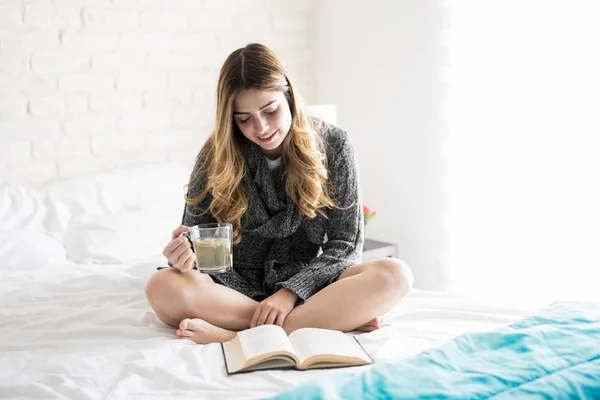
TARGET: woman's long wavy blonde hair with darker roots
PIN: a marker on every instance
(222, 161)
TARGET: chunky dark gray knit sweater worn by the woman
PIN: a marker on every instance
(282, 248)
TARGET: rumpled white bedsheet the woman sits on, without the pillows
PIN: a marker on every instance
(87, 332)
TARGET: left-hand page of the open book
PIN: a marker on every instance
(264, 339)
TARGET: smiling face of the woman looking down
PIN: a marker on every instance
(264, 117)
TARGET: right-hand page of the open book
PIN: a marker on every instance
(309, 342)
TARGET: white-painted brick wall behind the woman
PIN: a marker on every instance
(89, 85)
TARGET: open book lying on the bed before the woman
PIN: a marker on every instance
(268, 346)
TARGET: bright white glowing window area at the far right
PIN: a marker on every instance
(523, 113)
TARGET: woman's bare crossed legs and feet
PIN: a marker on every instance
(211, 313)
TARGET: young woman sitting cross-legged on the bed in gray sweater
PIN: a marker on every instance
(289, 186)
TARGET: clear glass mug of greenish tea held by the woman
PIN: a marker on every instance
(212, 245)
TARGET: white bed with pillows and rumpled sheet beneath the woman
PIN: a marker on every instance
(74, 321)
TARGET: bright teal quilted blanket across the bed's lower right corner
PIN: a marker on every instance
(552, 354)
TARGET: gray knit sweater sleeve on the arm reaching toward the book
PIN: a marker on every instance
(344, 229)
